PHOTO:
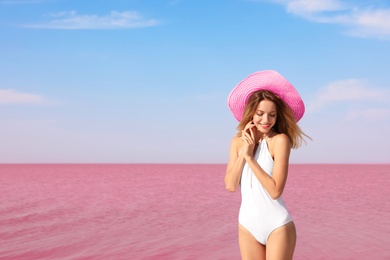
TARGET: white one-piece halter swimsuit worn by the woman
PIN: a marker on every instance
(259, 213)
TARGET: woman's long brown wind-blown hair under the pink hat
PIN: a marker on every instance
(285, 121)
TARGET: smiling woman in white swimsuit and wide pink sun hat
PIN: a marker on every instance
(268, 108)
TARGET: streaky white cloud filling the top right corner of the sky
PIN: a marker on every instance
(359, 21)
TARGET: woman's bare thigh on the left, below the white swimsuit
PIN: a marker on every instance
(250, 248)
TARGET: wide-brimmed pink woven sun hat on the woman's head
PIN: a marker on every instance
(265, 80)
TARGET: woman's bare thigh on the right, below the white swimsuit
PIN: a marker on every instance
(281, 242)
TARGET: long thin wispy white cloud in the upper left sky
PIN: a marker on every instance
(71, 20)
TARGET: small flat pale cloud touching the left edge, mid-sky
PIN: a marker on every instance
(9, 96)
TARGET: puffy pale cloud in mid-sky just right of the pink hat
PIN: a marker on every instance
(347, 90)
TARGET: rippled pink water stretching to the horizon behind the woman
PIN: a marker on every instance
(183, 212)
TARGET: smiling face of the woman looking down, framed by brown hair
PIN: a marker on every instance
(265, 116)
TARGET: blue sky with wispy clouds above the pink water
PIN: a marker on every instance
(142, 81)
